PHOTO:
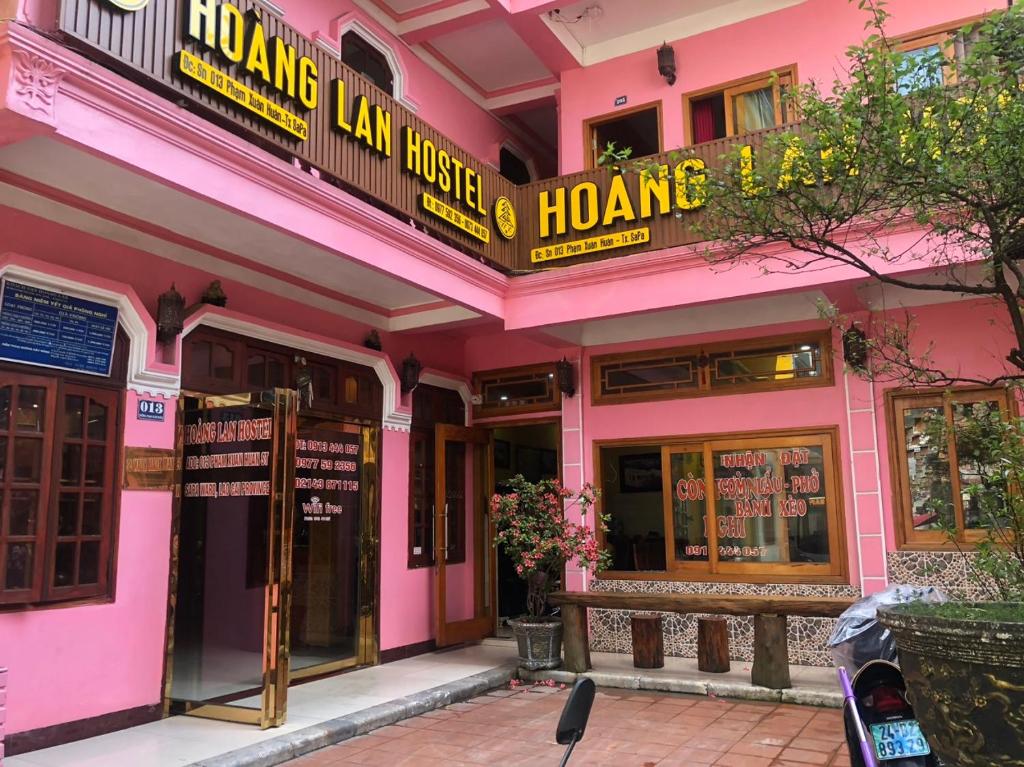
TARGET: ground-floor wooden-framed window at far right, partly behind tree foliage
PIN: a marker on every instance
(943, 473)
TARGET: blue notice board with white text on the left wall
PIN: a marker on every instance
(52, 330)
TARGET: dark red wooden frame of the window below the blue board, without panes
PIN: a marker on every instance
(110, 392)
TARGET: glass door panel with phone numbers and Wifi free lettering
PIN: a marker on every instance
(331, 545)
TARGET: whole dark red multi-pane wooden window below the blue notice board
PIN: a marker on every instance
(59, 454)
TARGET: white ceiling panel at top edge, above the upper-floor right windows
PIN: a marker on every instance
(616, 28)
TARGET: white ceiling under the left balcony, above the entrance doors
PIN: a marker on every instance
(83, 176)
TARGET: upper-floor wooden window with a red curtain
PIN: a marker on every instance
(741, 107)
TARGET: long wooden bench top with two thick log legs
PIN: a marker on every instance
(772, 651)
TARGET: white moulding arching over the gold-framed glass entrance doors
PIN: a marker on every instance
(392, 417)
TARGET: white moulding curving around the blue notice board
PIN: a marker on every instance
(142, 379)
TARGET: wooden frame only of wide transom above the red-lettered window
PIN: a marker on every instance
(704, 389)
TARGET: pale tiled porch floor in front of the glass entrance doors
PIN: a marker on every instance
(183, 741)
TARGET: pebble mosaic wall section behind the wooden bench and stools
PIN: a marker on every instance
(610, 630)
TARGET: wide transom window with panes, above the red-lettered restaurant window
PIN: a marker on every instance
(715, 369)
